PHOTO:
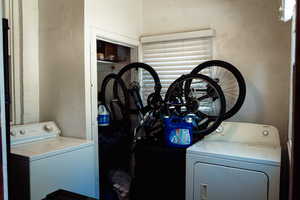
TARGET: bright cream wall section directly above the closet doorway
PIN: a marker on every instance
(115, 16)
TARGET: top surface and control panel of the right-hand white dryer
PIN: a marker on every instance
(241, 141)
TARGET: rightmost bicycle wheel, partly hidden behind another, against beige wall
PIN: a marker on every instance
(229, 79)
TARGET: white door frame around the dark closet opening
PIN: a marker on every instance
(91, 35)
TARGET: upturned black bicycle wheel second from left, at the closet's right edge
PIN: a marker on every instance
(126, 74)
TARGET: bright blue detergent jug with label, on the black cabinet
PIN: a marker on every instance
(178, 131)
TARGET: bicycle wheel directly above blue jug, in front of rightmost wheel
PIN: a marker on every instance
(204, 98)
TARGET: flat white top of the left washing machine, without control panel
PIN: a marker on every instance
(49, 147)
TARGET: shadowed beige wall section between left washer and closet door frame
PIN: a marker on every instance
(62, 95)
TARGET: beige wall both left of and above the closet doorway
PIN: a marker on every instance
(65, 54)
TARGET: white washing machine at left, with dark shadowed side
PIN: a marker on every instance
(43, 162)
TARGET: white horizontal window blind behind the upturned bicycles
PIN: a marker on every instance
(173, 58)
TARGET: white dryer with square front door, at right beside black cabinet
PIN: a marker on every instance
(239, 161)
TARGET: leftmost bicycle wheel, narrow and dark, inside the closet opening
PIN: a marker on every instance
(107, 96)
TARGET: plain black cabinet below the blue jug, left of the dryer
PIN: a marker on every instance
(160, 172)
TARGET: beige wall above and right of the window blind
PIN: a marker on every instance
(249, 35)
